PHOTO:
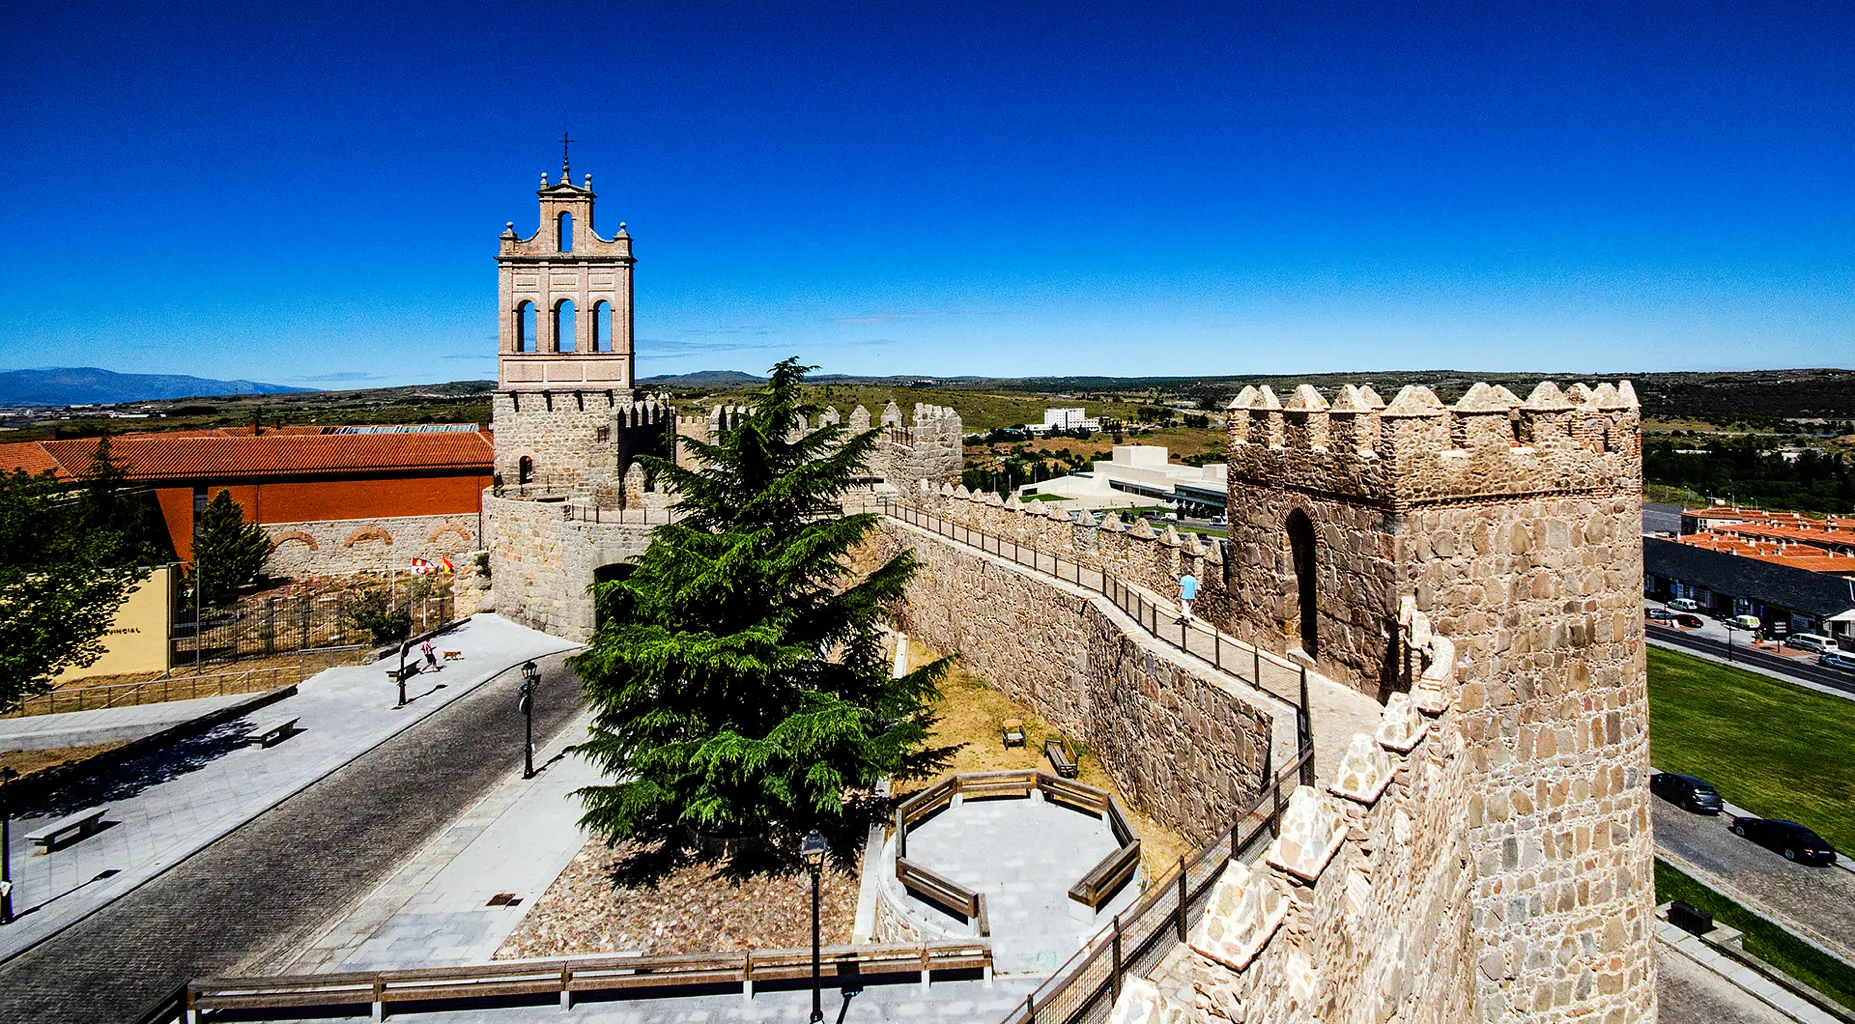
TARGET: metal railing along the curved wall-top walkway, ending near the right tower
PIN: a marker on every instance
(1272, 674)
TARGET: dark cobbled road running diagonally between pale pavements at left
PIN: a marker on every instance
(283, 875)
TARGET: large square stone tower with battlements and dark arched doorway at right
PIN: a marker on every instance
(1515, 530)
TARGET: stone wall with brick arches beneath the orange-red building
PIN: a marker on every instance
(353, 546)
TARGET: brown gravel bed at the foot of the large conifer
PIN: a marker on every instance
(602, 906)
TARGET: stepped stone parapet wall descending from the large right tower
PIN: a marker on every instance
(1361, 912)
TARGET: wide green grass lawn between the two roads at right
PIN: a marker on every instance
(1772, 749)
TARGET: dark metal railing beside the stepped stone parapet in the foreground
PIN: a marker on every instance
(1086, 988)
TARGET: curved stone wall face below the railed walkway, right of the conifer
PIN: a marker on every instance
(1181, 747)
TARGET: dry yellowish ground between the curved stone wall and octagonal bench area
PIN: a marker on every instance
(971, 715)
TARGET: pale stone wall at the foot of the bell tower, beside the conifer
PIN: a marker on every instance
(543, 563)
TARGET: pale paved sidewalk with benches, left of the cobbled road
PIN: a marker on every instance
(170, 804)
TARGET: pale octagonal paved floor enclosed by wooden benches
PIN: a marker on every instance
(1023, 856)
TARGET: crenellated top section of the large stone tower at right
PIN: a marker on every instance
(1416, 450)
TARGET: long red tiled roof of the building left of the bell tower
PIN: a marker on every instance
(166, 457)
